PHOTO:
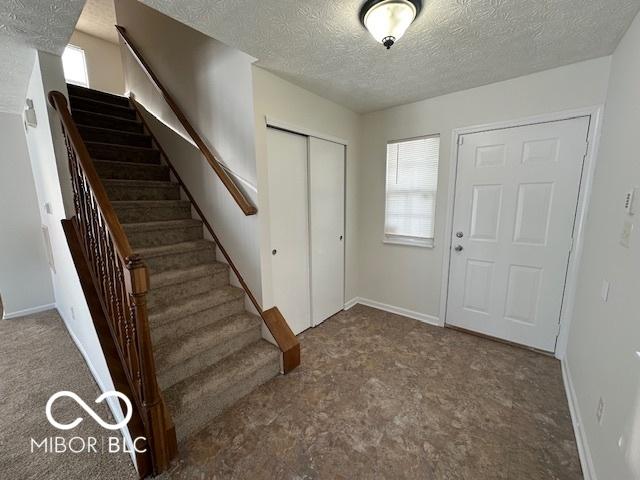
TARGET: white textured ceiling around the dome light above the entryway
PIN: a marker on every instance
(453, 45)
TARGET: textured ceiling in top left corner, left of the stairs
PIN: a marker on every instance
(26, 25)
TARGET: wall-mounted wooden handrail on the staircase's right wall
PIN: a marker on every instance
(243, 202)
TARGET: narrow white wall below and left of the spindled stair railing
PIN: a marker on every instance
(51, 176)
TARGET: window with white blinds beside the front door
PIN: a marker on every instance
(412, 180)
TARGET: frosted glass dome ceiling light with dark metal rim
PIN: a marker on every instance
(387, 20)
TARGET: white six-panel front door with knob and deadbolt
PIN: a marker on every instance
(515, 205)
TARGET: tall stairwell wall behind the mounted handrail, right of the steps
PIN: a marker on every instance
(212, 84)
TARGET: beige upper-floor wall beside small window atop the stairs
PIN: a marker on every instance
(104, 63)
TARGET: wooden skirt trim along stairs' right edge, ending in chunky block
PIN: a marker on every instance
(273, 318)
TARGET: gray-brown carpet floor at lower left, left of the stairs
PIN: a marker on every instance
(38, 358)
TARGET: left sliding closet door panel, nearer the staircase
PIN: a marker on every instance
(288, 209)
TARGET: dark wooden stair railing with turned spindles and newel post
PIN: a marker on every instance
(122, 281)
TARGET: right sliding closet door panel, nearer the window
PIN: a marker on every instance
(326, 226)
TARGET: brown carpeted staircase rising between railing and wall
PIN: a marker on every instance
(209, 351)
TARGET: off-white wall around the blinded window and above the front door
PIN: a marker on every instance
(417, 271)
